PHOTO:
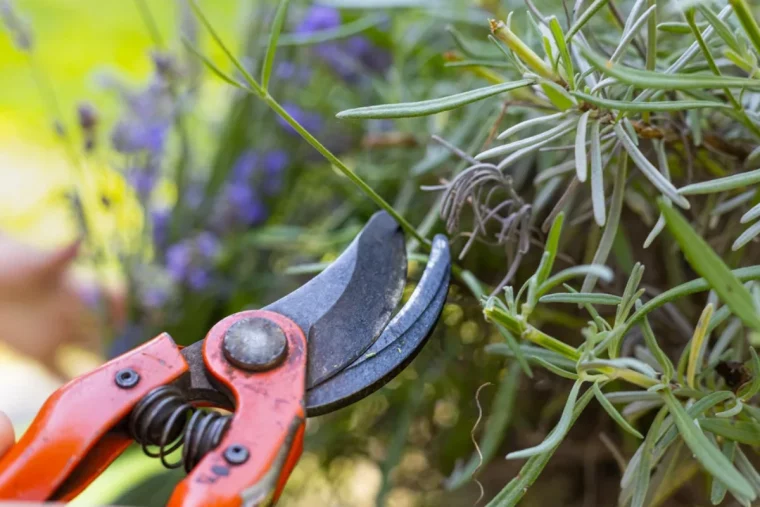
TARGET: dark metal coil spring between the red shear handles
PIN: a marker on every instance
(165, 420)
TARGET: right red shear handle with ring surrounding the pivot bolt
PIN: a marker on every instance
(265, 439)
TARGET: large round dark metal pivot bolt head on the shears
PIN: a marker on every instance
(255, 344)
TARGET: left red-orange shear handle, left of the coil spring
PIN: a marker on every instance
(69, 443)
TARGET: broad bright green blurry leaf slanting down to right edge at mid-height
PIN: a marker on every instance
(708, 264)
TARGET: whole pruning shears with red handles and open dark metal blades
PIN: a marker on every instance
(324, 346)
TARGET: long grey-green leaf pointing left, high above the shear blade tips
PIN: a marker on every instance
(427, 107)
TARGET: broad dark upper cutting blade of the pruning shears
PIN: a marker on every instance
(345, 308)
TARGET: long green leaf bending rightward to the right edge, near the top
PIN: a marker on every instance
(662, 81)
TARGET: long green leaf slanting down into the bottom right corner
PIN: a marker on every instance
(706, 453)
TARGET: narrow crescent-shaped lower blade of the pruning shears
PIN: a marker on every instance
(396, 347)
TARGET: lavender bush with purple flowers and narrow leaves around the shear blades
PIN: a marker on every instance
(564, 148)
